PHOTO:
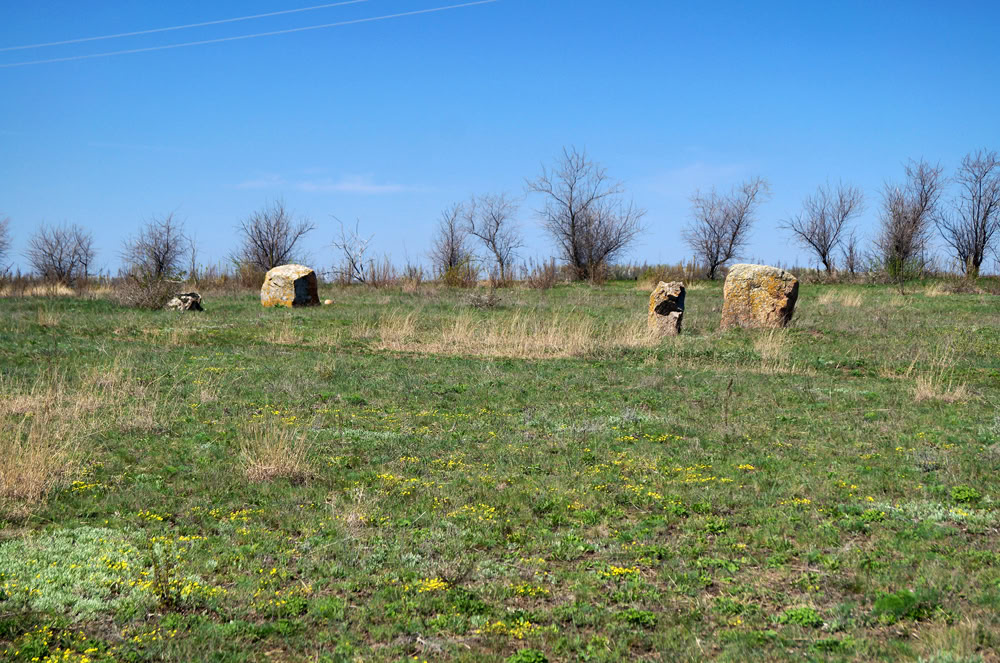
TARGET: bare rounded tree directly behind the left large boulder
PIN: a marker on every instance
(271, 237)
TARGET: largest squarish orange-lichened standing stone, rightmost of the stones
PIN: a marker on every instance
(758, 296)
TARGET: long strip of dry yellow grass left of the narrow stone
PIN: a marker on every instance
(518, 335)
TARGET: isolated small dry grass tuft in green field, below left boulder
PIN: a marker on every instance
(272, 449)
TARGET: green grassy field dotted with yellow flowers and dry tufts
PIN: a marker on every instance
(409, 476)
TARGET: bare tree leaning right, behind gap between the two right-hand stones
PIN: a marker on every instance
(721, 224)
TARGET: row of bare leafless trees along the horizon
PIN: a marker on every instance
(592, 223)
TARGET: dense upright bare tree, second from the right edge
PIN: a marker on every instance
(908, 213)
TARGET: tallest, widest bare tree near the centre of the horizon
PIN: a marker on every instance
(585, 212)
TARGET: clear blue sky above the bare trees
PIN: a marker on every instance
(387, 122)
